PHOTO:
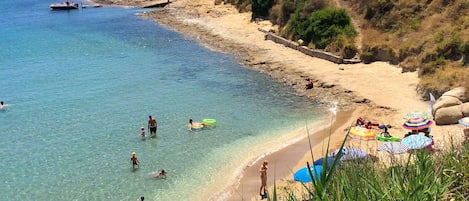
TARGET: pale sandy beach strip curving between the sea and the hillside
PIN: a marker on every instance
(379, 91)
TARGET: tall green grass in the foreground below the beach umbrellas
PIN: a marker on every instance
(424, 175)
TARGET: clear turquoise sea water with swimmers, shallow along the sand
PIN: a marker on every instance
(80, 84)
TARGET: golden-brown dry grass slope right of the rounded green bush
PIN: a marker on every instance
(423, 37)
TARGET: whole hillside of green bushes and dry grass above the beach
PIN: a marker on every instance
(428, 36)
